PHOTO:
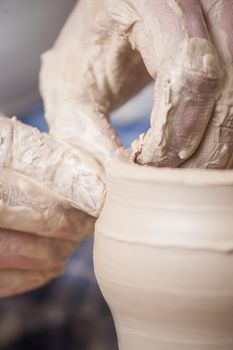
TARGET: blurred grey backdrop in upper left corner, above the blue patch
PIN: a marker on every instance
(27, 28)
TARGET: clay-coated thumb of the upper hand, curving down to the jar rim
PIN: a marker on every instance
(81, 81)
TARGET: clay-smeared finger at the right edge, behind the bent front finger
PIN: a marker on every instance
(216, 148)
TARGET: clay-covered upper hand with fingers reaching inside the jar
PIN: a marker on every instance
(103, 57)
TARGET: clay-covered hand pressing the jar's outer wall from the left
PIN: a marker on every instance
(50, 194)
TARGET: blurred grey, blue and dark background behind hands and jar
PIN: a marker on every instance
(70, 312)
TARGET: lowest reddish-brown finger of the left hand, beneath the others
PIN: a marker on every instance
(17, 281)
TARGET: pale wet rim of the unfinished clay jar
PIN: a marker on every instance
(121, 167)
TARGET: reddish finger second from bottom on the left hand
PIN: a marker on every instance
(20, 250)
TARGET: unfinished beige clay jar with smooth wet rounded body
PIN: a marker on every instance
(163, 257)
